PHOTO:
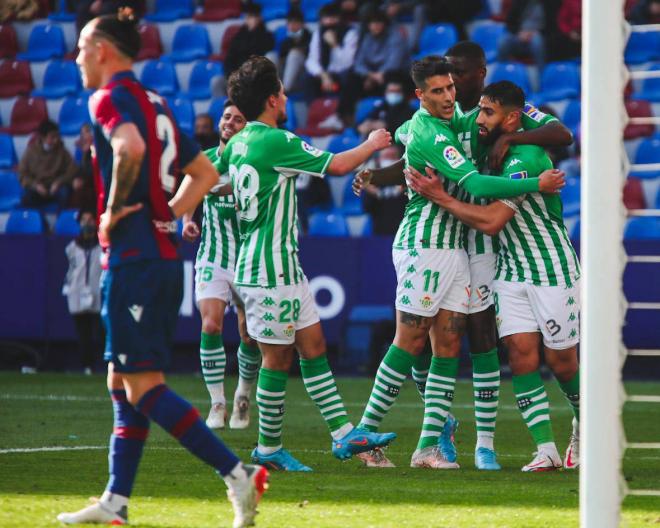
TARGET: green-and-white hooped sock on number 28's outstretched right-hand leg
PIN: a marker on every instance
(321, 387)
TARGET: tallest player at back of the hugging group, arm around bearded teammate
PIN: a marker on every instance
(468, 72)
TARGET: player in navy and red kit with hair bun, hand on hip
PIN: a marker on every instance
(139, 151)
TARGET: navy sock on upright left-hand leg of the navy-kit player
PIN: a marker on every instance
(128, 436)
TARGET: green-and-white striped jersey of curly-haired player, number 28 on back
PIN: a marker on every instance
(262, 163)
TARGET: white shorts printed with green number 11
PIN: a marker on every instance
(429, 280)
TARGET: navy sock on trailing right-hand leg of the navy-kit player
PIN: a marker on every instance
(181, 420)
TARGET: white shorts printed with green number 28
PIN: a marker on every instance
(274, 315)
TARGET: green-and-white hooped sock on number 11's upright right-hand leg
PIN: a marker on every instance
(438, 398)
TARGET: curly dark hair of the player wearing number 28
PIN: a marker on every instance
(252, 84)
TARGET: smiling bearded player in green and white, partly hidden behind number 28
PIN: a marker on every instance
(214, 276)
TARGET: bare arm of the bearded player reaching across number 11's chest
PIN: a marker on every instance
(489, 219)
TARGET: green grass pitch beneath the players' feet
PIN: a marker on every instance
(72, 414)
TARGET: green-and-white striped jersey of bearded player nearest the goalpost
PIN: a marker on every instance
(534, 244)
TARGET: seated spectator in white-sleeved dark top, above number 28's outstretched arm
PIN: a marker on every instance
(331, 53)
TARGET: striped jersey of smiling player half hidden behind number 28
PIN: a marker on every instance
(220, 237)
